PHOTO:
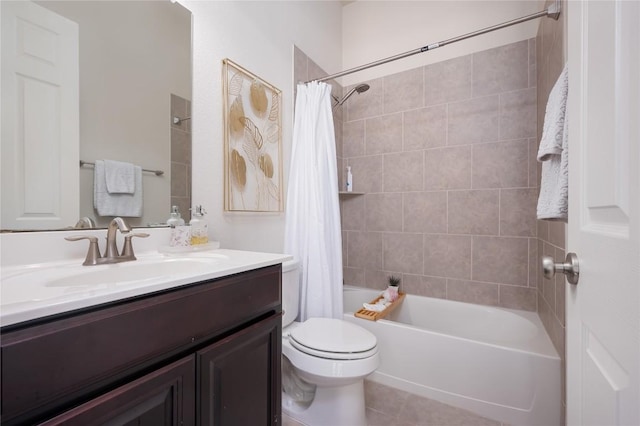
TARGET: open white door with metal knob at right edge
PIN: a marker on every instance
(603, 310)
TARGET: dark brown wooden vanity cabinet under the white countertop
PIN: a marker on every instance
(207, 353)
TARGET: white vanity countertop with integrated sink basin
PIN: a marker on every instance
(33, 291)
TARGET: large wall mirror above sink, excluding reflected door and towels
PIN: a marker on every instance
(134, 77)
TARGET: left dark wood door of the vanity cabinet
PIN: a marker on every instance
(162, 398)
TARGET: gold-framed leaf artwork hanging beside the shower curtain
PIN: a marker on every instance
(253, 142)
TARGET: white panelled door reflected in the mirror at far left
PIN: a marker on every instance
(40, 118)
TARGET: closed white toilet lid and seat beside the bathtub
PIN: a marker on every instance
(333, 339)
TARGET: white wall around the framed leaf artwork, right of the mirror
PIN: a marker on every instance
(259, 36)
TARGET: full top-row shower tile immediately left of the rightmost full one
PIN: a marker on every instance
(448, 81)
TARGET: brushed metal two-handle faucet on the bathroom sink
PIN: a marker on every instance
(111, 254)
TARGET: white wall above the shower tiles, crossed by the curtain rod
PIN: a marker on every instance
(373, 30)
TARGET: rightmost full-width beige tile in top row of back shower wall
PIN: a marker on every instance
(501, 69)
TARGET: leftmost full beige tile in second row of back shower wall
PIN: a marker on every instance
(383, 134)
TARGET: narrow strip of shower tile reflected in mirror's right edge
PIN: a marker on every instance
(181, 156)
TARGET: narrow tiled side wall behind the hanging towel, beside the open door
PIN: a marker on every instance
(551, 235)
